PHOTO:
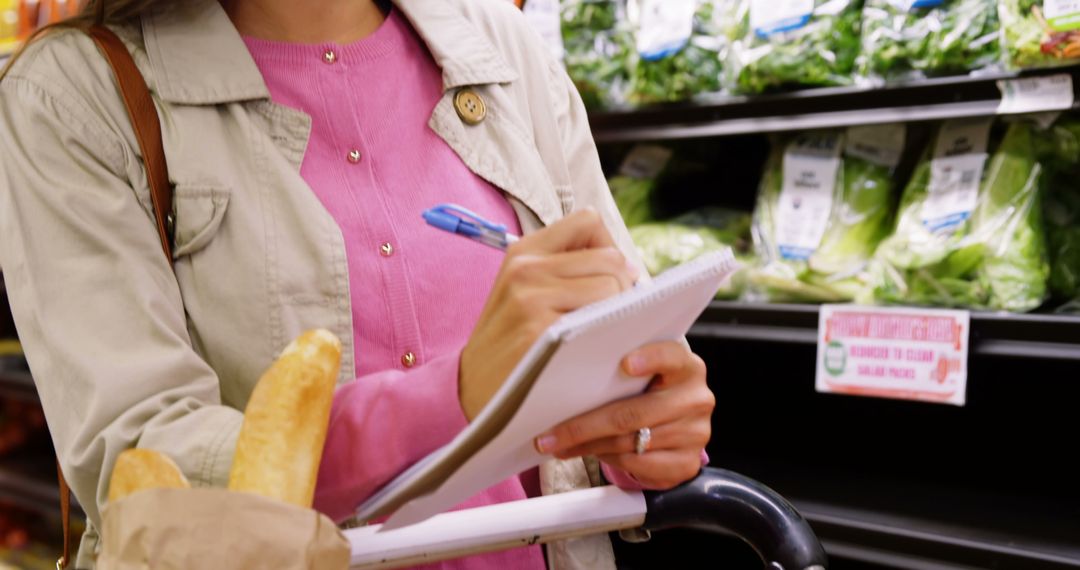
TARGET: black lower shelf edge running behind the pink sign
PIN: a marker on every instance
(1025, 336)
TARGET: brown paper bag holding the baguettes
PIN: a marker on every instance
(188, 530)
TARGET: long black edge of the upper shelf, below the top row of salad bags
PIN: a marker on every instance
(819, 108)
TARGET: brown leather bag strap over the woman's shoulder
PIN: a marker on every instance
(147, 126)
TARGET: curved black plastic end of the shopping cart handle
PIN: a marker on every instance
(726, 503)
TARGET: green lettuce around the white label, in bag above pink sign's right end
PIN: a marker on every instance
(994, 261)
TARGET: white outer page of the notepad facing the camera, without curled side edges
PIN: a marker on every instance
(583, 375)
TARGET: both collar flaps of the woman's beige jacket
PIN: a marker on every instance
(198, 58)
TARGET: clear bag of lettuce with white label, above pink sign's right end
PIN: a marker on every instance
(969, 232)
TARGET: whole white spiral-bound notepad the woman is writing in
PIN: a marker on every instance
(573, 369)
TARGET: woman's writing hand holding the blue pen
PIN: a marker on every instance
(564, 267)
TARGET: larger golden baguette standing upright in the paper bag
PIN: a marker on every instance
(281, 441)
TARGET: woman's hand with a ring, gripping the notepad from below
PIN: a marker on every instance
(678, 408)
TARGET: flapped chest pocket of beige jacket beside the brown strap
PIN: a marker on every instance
(199, 213)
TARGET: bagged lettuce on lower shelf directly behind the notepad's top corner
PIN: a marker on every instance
(665, 246)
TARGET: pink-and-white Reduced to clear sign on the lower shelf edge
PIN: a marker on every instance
(915, 355)
